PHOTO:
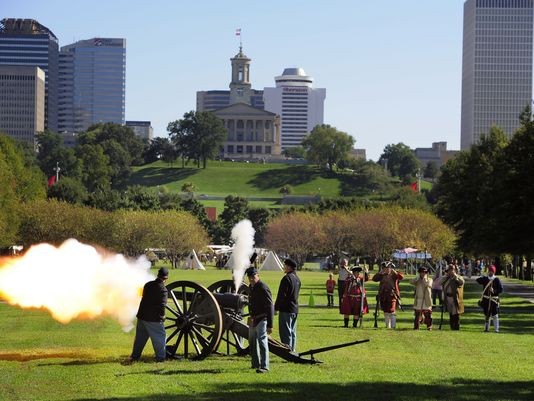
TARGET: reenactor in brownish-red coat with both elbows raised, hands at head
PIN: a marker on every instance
(388, 292)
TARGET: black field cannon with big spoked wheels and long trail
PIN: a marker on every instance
(200, 320)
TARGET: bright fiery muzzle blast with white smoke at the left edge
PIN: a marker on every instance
(75, 280)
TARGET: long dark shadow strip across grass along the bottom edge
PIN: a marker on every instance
(265, 389)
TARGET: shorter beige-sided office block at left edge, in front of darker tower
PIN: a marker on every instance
(22, 102)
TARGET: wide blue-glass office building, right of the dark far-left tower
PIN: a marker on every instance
(92, 83)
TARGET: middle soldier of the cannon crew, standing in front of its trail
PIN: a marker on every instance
(260, 320)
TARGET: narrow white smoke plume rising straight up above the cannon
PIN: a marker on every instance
(243, 236)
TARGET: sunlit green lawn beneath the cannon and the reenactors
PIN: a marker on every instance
(41, 359)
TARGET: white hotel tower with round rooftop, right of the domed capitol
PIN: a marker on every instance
(299, 105)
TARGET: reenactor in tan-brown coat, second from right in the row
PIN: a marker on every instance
(453, 295)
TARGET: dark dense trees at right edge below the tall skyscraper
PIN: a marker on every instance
(486, 195)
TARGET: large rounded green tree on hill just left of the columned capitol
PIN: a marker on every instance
(198, 136)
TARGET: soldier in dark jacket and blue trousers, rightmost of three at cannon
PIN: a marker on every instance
(287, 304)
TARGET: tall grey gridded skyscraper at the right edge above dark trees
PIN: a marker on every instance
(496, 67)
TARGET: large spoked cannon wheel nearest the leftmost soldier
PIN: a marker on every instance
(193, 323)
